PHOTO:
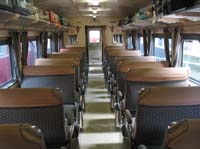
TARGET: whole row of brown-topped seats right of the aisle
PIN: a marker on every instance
(126, 76)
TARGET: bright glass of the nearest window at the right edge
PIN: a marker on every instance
(191, 58)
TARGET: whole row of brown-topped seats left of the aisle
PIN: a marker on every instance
(51, 98)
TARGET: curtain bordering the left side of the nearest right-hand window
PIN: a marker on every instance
(176, 46)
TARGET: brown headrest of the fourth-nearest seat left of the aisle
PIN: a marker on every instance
(57, 61)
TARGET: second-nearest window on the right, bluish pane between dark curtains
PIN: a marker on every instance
(159, 48)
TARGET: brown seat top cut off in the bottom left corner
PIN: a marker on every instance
(23, 136)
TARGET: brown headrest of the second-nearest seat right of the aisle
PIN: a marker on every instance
(170, 96)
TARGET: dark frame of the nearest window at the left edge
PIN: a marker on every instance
(13, 79)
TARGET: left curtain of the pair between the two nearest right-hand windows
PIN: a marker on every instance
(166, 44)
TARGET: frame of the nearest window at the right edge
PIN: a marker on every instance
(189, 37)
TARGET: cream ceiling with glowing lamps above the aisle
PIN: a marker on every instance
(78, 8)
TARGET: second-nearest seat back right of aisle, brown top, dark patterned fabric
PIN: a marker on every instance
(158, 107)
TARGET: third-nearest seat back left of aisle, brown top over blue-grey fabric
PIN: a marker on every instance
(62, 77)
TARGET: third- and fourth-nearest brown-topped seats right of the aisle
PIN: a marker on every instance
(144, 75)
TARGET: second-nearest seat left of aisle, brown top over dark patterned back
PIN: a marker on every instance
(39, 107)
